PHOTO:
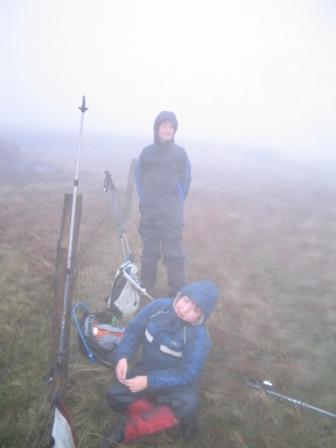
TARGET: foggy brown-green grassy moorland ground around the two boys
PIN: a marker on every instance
(268, 239)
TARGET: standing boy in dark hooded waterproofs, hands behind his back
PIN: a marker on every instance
(162, 180)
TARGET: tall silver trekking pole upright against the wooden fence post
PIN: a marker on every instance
(61, 349)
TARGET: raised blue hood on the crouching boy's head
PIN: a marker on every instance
(204, 294)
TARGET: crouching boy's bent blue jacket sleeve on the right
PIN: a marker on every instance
(194, 357)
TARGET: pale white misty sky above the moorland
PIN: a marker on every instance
(238, 71)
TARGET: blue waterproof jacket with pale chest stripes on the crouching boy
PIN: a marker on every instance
(174, 351)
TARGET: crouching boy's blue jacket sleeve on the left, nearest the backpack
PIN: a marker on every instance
(135, 331)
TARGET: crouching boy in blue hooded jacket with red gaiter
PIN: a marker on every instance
(161, 391)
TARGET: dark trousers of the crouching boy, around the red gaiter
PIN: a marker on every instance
(183, 400)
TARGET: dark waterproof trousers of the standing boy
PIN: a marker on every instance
(166, 241)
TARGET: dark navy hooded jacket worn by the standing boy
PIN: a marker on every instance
(163, 178)
